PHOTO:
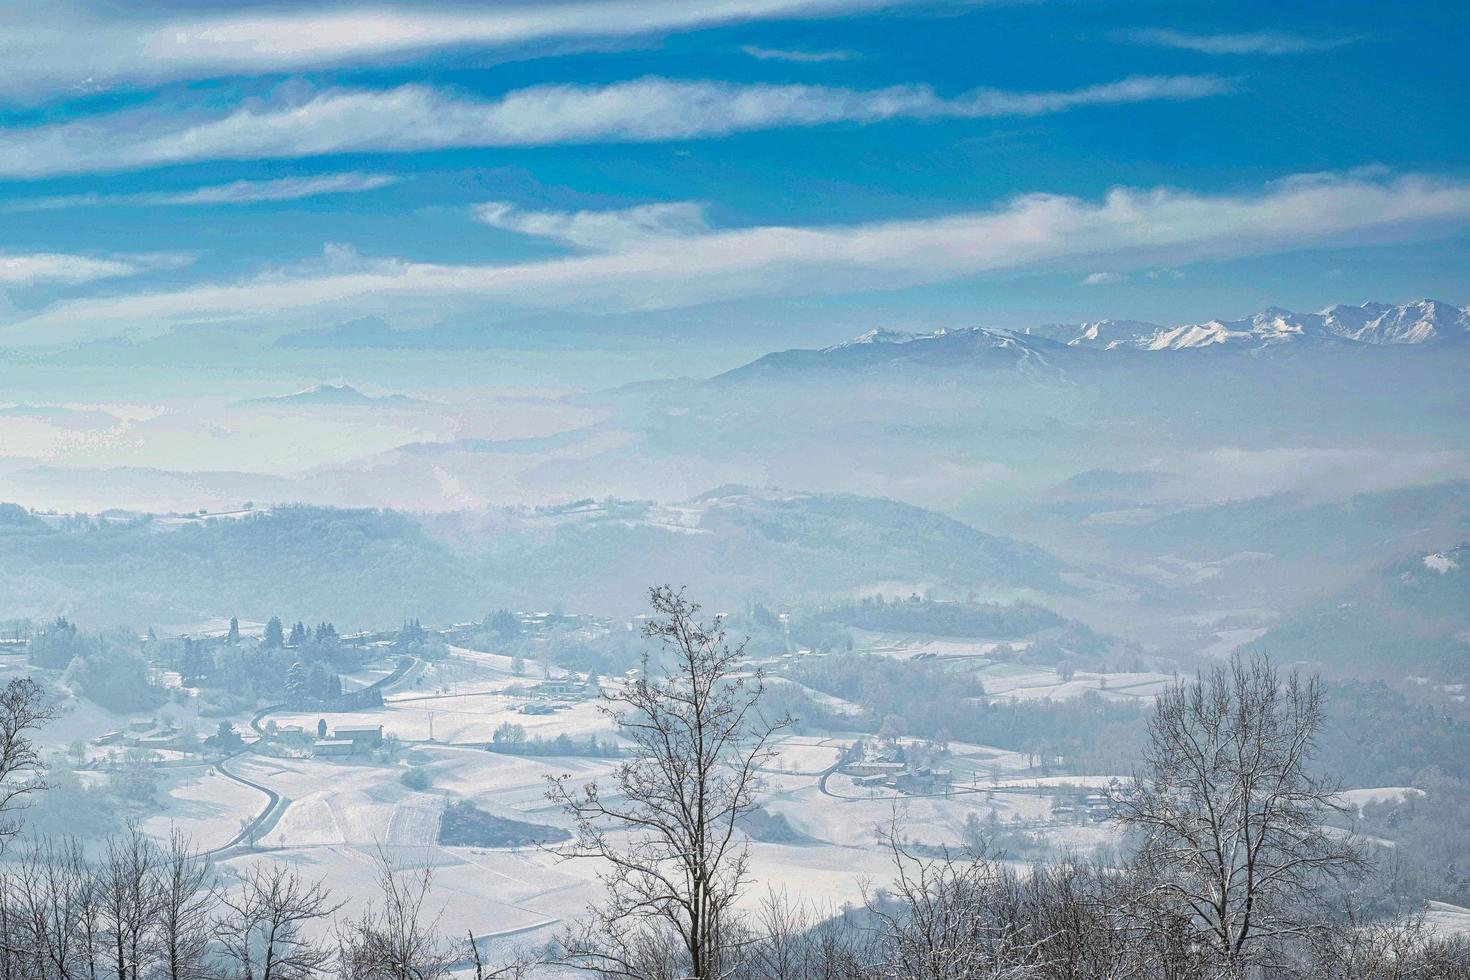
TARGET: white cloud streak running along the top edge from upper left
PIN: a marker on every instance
(60, 48)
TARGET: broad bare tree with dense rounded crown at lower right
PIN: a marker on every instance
(1231, 812)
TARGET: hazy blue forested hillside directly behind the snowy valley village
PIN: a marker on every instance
(376, 568)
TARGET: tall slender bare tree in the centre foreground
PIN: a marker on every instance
(670, 828)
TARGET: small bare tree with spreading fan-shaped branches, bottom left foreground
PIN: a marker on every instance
(270, 922)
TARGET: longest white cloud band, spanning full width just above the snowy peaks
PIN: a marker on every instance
(1131, 228)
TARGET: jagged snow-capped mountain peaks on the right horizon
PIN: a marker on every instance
(1418, 323)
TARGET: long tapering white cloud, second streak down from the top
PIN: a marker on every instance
(420, 118)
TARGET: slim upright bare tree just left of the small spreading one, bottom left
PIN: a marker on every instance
(186, 898)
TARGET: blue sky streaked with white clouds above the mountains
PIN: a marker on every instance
(605, 190)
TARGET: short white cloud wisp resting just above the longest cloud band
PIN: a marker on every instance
(599, 231)
